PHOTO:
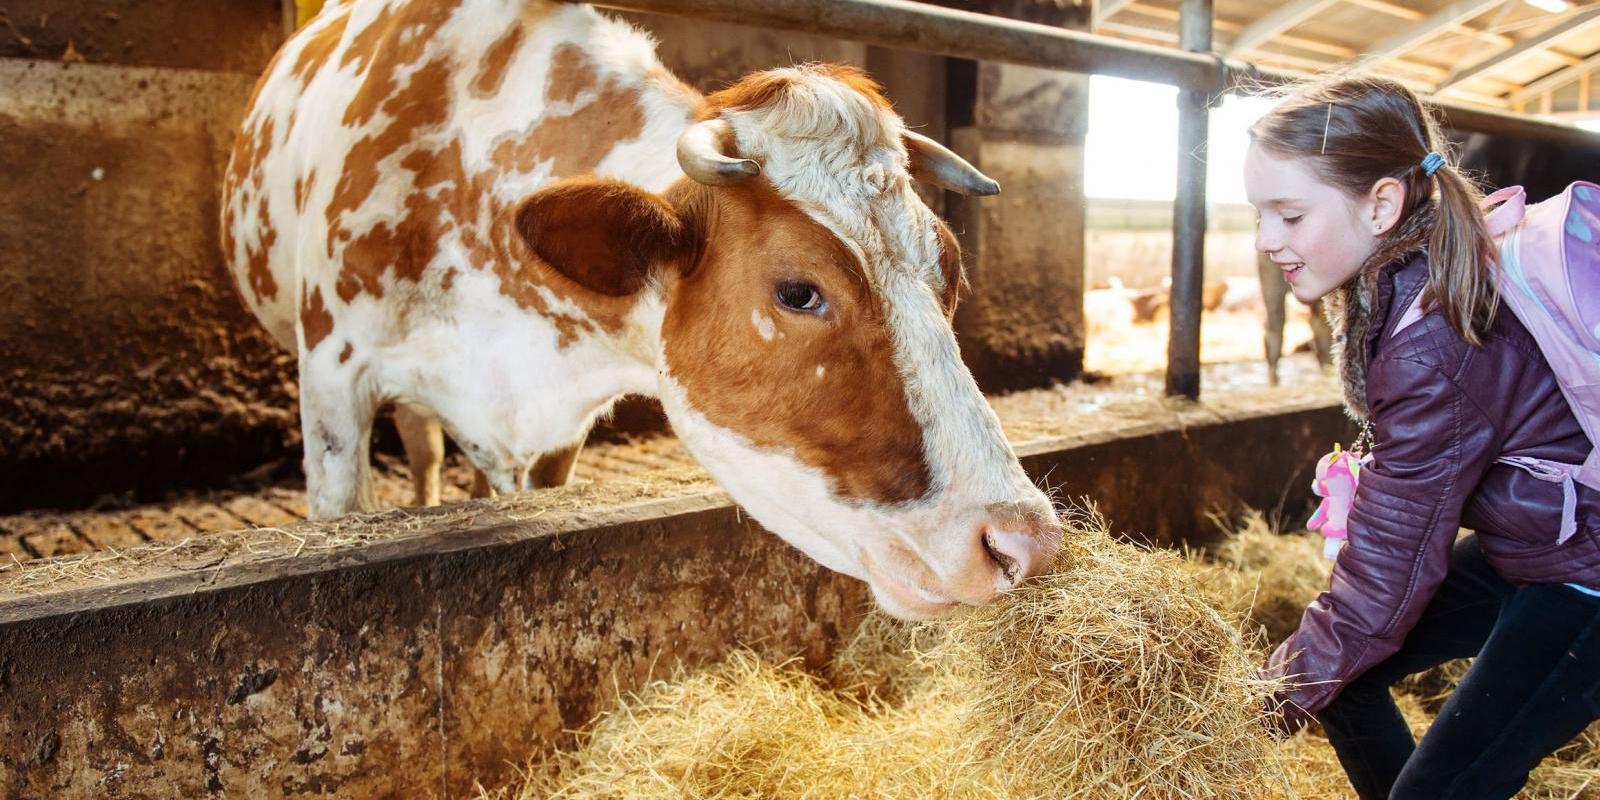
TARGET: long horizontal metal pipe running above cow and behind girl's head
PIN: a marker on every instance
(964, 34)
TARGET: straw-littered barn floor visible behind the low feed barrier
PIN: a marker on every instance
(658, 465)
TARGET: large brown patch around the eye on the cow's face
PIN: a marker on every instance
(865, 439)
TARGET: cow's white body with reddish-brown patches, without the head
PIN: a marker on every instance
(378, 249)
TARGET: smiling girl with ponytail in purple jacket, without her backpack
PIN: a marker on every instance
(1359, 206)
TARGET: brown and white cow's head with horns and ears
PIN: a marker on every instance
(806, 348)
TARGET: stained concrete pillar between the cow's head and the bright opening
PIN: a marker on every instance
(1023, 322)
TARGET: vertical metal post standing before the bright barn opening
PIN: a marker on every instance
(1194, 122)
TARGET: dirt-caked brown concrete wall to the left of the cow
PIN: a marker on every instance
(129, 362)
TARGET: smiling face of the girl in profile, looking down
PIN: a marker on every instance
(1316, 234)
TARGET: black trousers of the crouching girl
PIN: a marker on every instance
(1534, 687)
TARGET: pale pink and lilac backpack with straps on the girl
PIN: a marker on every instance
(1550, 274)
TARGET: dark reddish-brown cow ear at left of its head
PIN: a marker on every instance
(602, 234)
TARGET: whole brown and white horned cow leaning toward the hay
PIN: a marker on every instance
(503, 215)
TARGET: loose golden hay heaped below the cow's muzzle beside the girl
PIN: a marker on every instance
(1124, 674)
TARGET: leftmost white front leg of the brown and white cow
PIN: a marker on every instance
(337, 425)
